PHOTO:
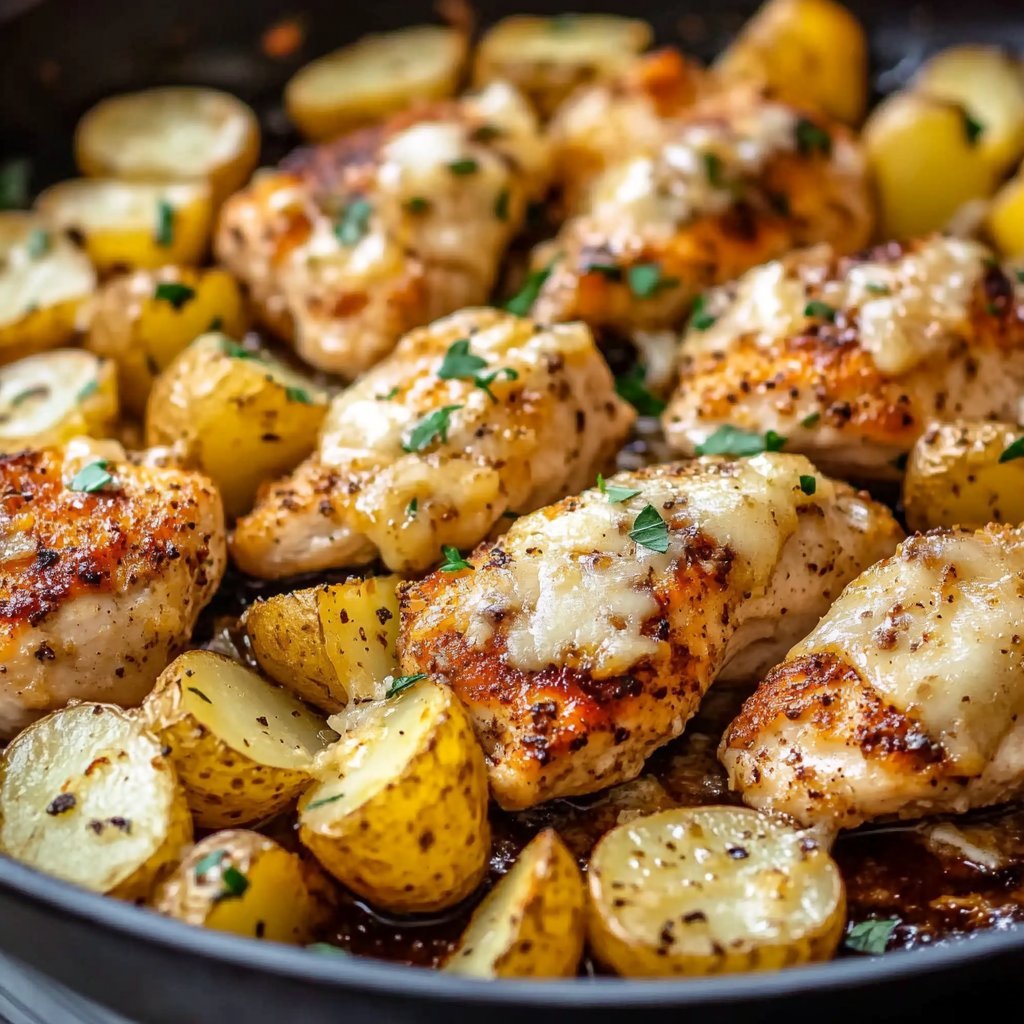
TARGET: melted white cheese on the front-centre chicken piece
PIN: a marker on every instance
(577, 591)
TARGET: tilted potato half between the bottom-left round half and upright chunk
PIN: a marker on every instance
(244, 748)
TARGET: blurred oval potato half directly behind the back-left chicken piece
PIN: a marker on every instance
(374, 77)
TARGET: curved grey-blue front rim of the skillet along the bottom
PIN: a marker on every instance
(381, 978)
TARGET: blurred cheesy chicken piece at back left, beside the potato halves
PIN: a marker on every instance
(353, 244)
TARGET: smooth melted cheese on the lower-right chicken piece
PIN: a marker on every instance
(938, 631)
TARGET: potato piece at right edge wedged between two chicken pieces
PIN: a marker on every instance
(966, 475)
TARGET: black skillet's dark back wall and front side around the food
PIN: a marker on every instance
(59, 57)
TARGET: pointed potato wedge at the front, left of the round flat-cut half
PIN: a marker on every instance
(532, 924)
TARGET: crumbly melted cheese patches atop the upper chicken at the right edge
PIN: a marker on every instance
(907, 309)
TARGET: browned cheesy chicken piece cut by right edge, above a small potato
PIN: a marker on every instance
(850, 358)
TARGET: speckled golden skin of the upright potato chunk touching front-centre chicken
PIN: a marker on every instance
(422, 842)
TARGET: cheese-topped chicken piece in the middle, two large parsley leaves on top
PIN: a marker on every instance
(475, 418)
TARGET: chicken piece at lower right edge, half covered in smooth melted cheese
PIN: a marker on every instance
(907, 700)
